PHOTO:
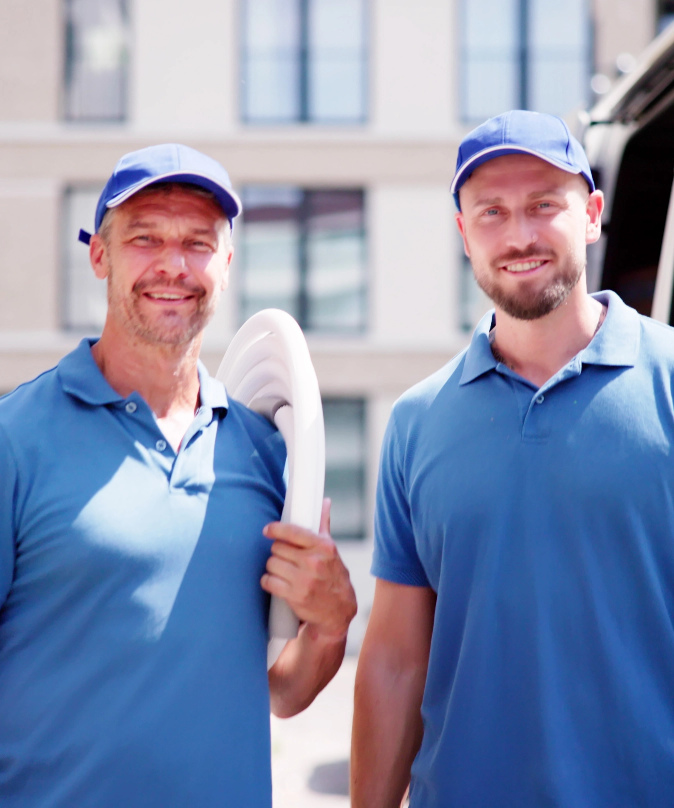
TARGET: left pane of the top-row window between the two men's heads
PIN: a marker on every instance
(271, 60)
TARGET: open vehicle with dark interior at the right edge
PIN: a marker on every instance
(629, 139)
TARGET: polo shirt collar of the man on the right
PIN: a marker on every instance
(616, 344)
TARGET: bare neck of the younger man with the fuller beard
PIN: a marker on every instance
(537, 349)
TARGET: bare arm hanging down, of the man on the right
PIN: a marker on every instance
(390, 680)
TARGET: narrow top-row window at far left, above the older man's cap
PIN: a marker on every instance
(96, 54)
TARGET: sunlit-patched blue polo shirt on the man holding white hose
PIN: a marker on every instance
(132, 623)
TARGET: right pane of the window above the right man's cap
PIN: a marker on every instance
(559, 70)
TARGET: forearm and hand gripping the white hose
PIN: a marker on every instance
(305, 569)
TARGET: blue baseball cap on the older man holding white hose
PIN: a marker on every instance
(168, 162)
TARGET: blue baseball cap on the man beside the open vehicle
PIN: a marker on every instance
(521, 132)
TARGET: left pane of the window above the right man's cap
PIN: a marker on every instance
(490, 61)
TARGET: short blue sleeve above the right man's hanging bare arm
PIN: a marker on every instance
(395, 556)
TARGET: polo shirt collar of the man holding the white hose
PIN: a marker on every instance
(81, 377)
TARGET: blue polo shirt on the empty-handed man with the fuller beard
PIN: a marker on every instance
(544, 521)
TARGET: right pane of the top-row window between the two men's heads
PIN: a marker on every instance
(336, 69)
